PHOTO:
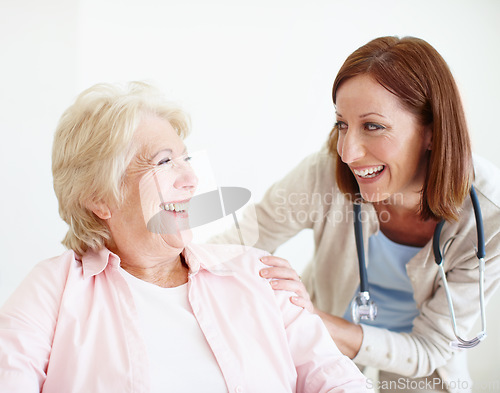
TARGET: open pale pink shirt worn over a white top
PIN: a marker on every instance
(72, 327)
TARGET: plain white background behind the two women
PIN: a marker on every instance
(255, 76)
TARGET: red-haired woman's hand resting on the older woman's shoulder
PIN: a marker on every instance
(284, 277)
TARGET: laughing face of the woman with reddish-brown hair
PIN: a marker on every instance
(382, 143)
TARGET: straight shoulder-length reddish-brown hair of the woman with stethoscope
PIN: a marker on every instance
(415, 72)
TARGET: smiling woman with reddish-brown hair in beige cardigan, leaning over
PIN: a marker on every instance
(400, 146)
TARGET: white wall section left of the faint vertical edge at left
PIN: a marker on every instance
(38, 48)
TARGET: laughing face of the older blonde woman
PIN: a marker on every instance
(159, 183)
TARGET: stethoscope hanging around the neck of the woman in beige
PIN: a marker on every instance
(363, 307)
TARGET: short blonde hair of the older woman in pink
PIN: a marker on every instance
(92, 150)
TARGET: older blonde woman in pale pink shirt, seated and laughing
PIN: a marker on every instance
(131, 309)
